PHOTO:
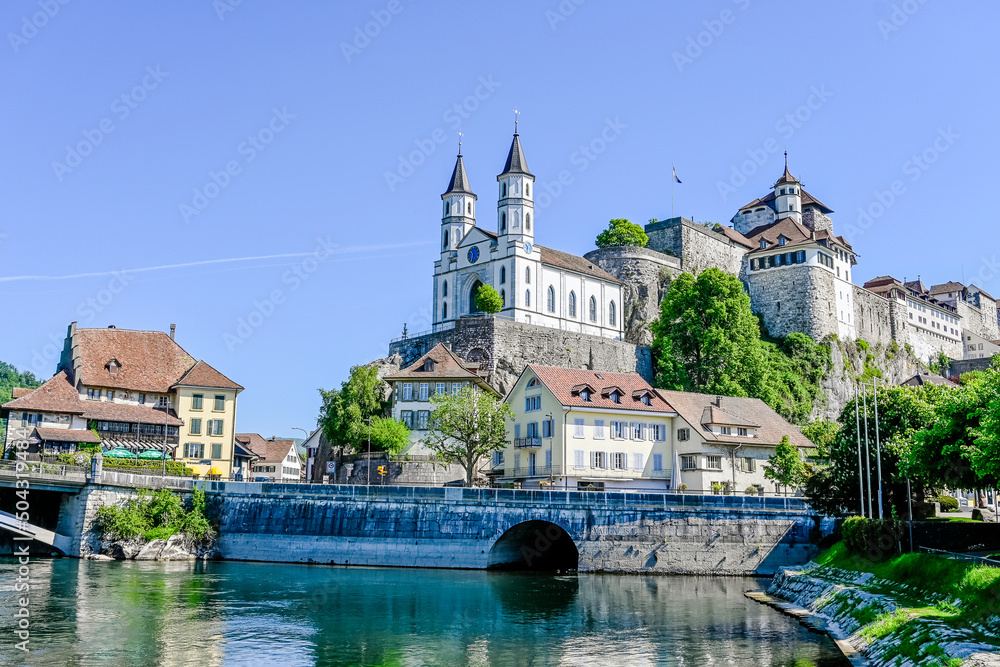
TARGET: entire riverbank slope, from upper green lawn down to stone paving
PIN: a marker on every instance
(914, 609)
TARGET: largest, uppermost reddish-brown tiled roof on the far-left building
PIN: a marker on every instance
(148, 360)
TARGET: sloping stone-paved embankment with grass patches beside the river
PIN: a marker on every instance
(883, 623)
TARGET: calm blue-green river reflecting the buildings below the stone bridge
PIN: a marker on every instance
(230, 613)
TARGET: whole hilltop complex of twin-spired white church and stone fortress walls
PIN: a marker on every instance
(594, 311)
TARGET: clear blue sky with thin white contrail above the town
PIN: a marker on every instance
(853, 91)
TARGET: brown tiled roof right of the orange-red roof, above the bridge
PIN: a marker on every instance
(752, 411)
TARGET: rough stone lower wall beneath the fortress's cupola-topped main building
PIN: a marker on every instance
(794, 299)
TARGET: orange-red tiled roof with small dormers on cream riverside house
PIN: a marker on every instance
(565, 385)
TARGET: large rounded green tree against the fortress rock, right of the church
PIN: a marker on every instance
(707, 339)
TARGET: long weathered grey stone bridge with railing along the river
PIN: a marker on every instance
(466, 528)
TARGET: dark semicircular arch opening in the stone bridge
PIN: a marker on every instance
(534, 545)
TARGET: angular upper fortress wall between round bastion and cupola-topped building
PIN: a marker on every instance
(697, 246)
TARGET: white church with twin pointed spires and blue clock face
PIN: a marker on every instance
(538, 285)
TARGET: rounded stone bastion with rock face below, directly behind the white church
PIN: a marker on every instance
(646, 276)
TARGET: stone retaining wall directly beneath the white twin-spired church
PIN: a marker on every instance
(506, 347)
